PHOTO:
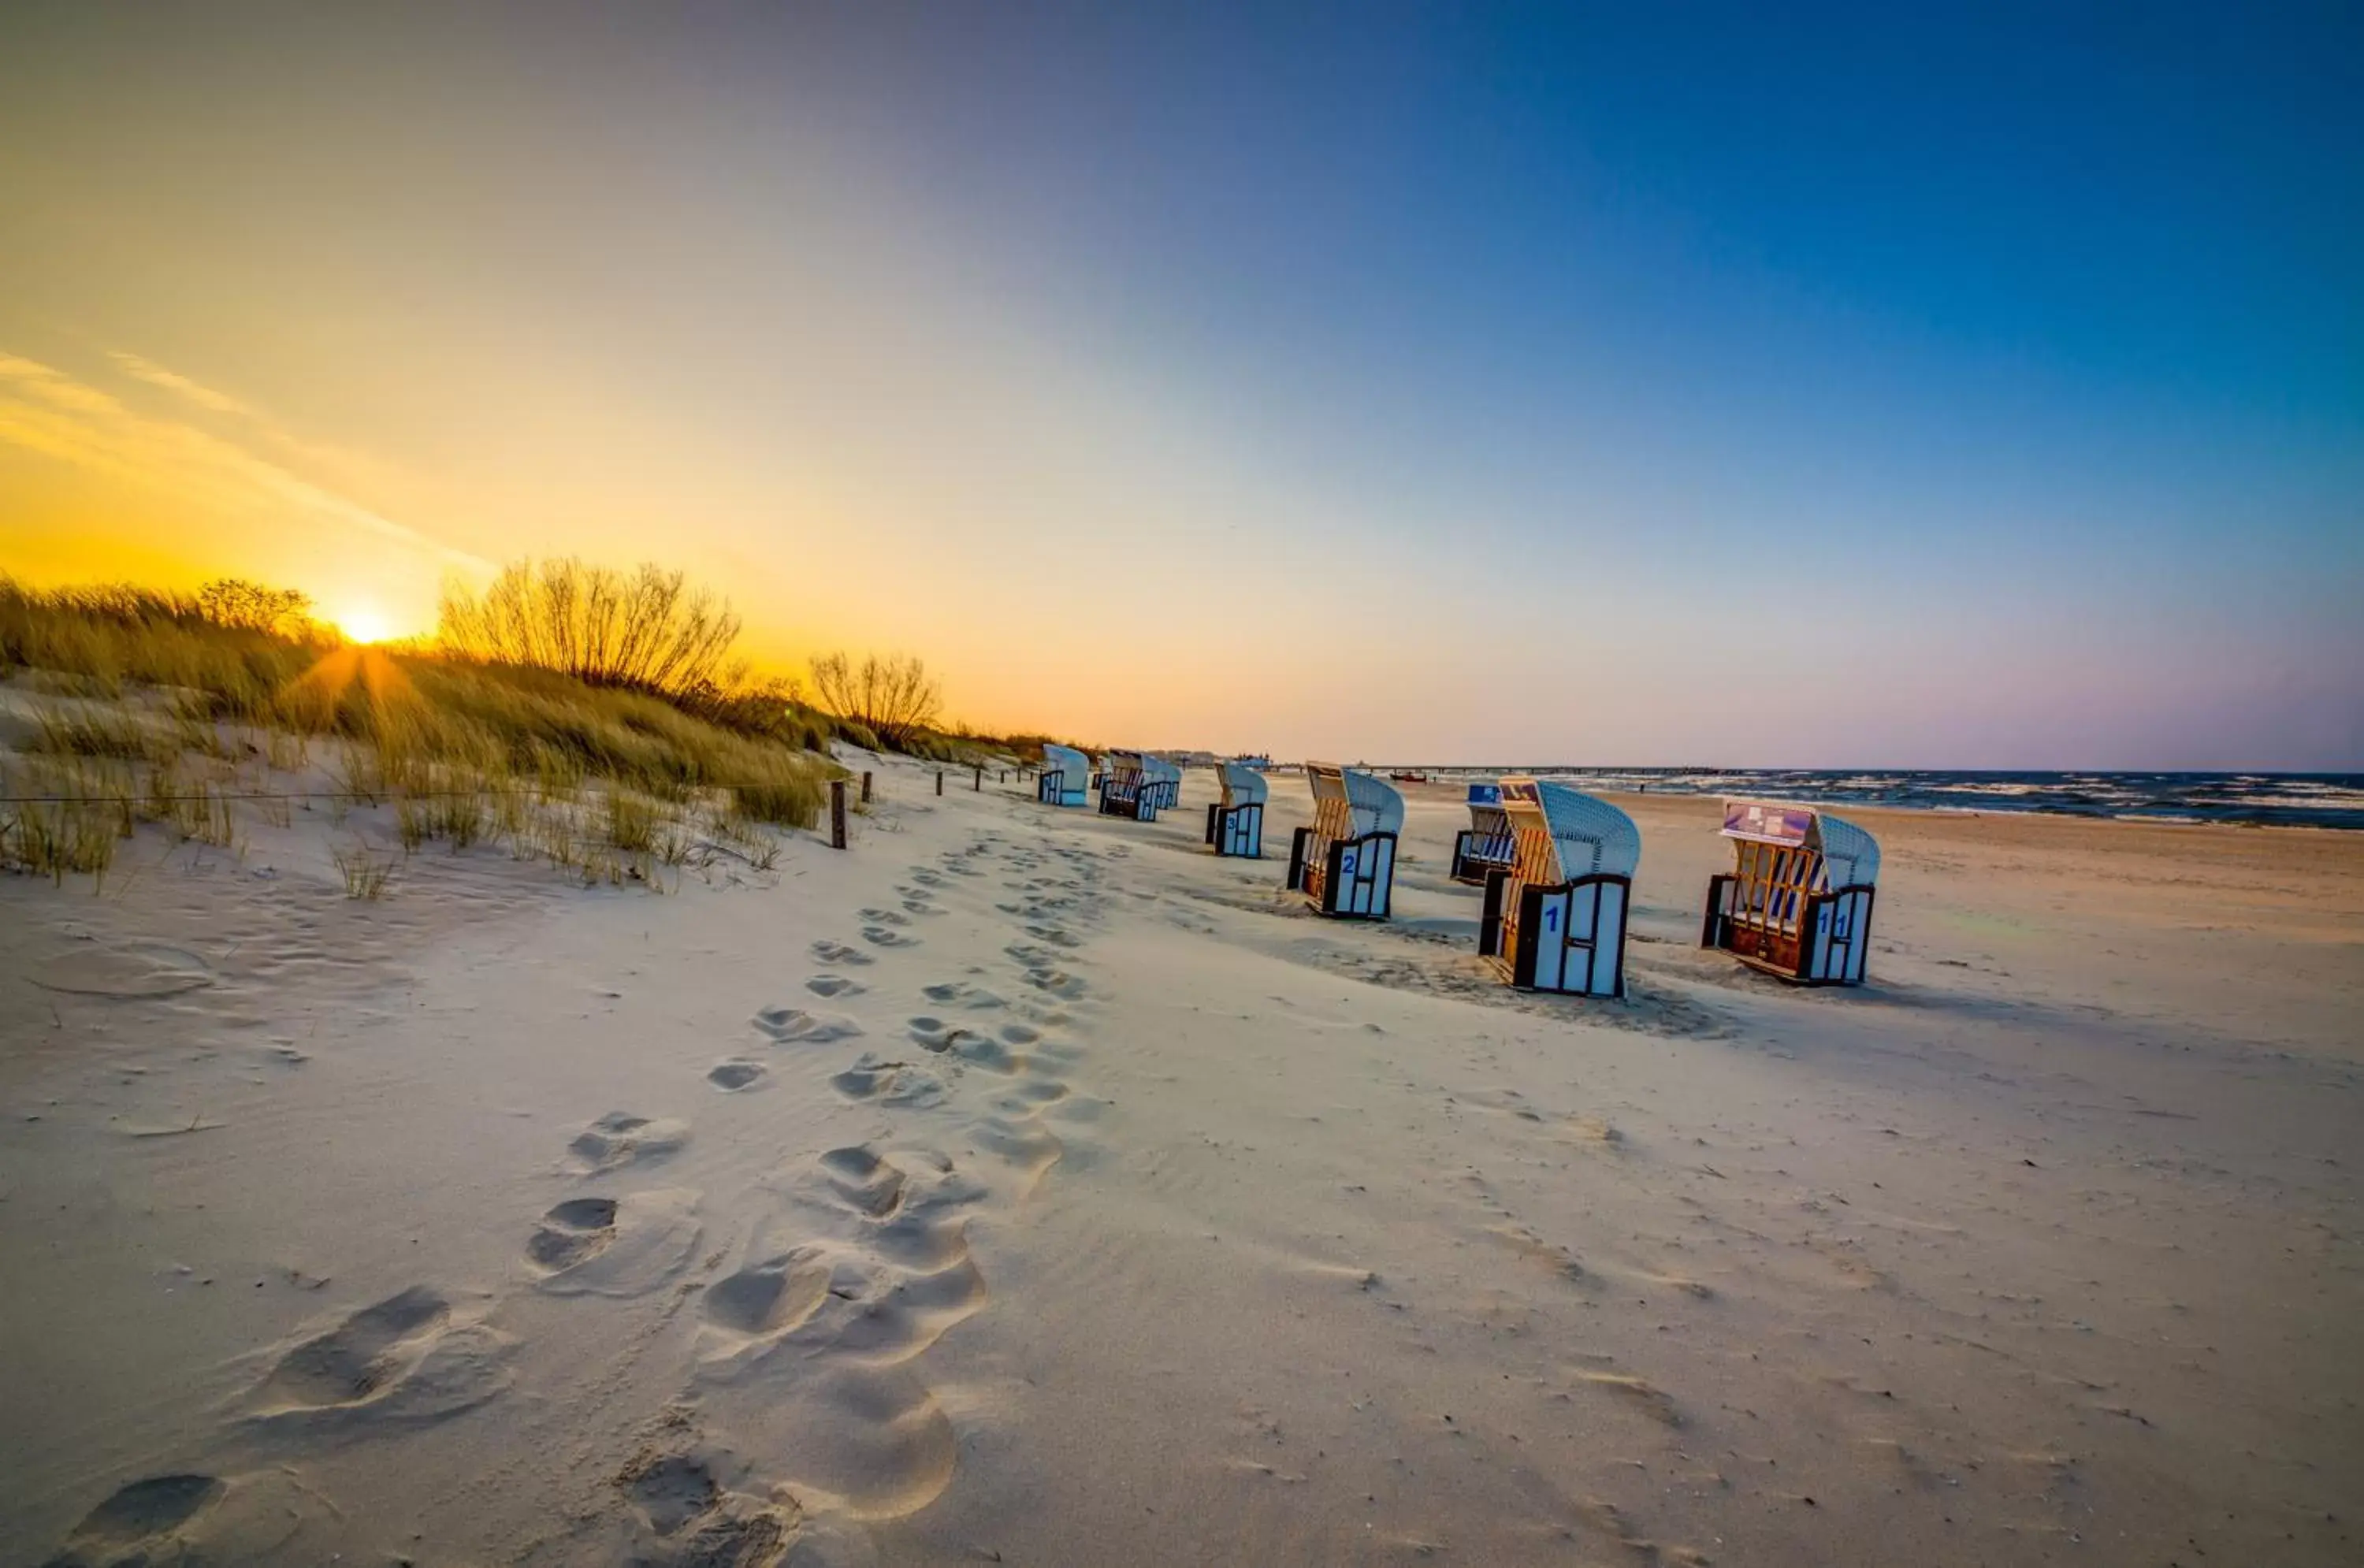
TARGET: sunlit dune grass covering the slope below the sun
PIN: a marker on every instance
(155, 713)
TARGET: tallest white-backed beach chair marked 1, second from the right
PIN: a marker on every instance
(1554, 919)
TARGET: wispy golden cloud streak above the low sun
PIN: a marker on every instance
(67, 420)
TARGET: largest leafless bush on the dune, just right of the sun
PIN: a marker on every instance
(644, 630)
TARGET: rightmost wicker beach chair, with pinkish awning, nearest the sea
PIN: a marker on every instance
(1800, 895)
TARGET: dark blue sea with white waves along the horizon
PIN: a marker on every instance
(2256, 801)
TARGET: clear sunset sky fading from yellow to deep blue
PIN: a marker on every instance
(1751, 387)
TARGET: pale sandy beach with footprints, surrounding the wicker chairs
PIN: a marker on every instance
(1034, 1188)
